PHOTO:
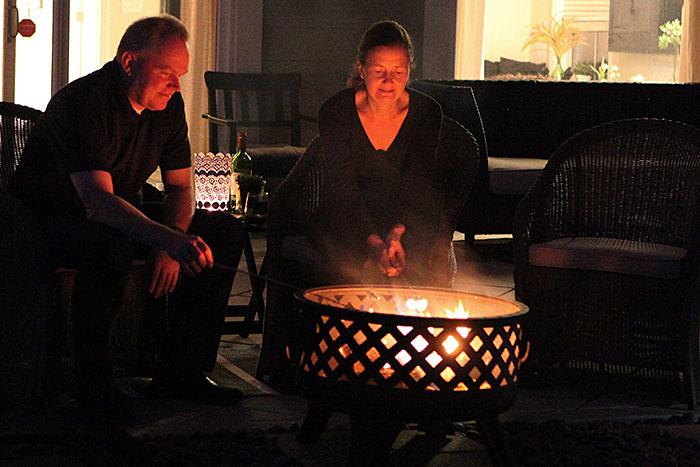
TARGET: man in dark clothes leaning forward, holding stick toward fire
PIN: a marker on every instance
(82, 171)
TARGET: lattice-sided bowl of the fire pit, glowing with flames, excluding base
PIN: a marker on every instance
(414, 338)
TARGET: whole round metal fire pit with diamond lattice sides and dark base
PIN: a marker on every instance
(411, 353)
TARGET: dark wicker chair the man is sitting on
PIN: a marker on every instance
(35, 298)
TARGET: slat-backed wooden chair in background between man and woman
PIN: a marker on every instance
(266, 105)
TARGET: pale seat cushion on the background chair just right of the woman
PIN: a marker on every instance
(513, 175)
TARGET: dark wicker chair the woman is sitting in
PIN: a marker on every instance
(296, 203)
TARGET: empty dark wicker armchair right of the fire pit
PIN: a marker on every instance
(605, 257)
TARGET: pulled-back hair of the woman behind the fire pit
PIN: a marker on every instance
(382, 33)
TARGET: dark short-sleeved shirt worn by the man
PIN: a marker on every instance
(91, 125)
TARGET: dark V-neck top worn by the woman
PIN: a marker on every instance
(375, 189)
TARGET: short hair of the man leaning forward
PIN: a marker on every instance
(148, 34)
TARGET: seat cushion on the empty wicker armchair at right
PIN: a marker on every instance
(609, 255)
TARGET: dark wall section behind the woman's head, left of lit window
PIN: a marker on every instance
(319, 39)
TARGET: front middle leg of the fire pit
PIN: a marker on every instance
(371, 440)
